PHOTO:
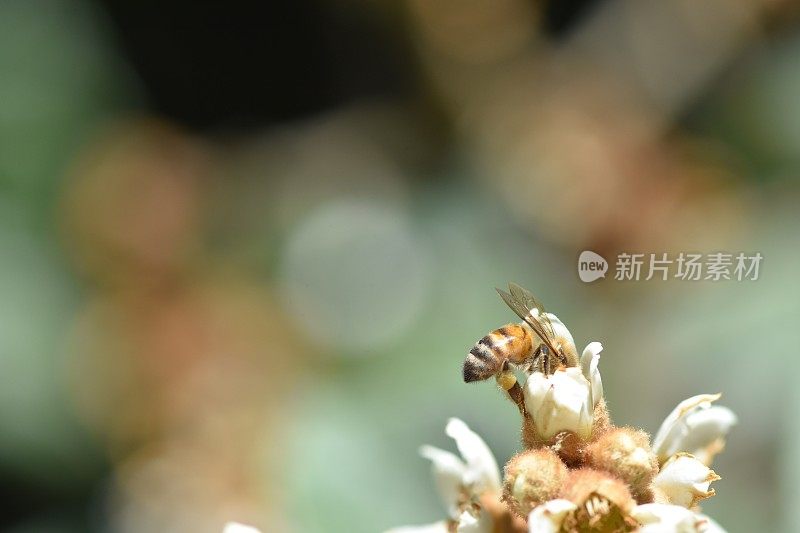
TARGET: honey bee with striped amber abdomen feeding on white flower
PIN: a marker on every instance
(530, 344)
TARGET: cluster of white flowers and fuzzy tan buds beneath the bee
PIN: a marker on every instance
(578, 472)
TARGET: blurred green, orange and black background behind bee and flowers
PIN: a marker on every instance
(248, 245)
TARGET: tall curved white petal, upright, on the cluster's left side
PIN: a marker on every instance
(482, 470)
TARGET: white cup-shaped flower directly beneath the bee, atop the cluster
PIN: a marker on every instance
(560, 402)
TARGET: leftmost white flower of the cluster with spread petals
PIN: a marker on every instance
(474, 473)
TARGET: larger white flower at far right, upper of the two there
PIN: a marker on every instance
(695, 427)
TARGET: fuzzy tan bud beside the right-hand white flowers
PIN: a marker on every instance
(625, 452)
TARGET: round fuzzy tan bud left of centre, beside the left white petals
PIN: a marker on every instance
(531, 478)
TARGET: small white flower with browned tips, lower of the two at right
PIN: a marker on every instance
(685, 480)
